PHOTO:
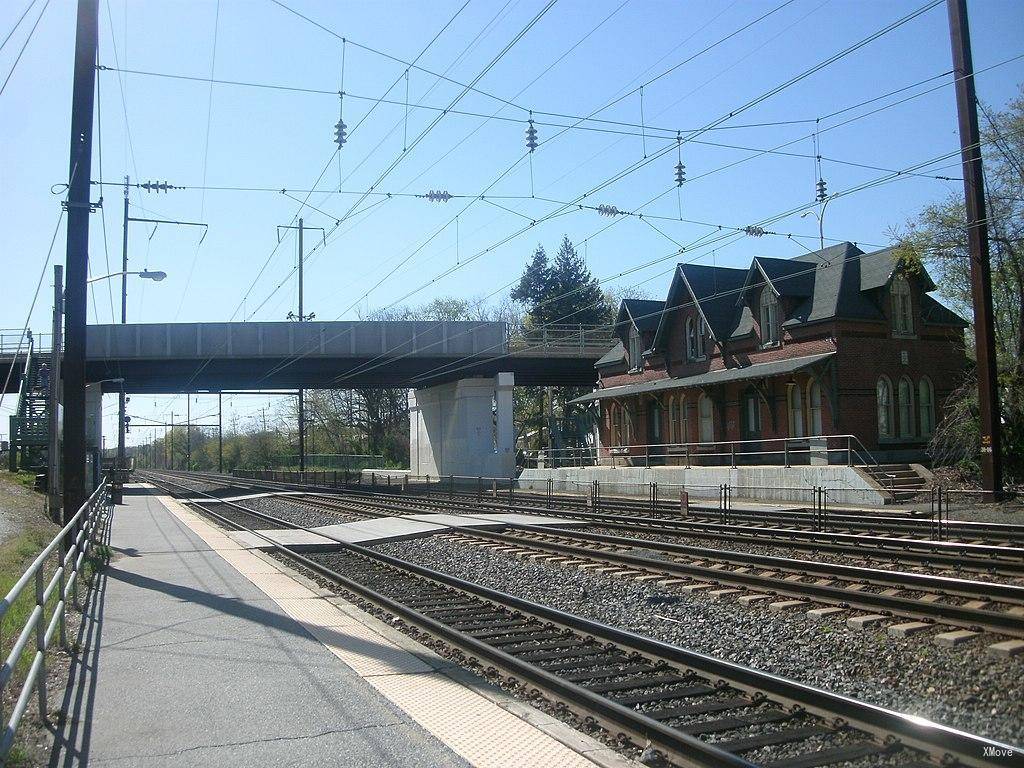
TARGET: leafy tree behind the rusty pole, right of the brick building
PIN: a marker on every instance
(937, 239)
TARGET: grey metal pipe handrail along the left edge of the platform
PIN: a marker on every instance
(65, 581)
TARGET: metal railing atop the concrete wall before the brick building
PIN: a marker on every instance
(787, 452)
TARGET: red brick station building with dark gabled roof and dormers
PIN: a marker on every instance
(836, 343)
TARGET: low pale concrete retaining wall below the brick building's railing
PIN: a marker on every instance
(847, 486)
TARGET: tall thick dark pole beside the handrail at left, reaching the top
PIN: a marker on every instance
(77, 258)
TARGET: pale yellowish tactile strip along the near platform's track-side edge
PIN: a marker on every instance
(486, 728)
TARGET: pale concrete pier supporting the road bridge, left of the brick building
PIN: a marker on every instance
(463, 429)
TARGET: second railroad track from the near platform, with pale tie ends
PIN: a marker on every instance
(943, 601)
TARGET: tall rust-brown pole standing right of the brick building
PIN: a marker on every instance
(982, 279)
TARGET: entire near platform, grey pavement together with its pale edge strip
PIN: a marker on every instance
(199, 654)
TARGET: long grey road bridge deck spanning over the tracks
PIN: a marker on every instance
(170, 358)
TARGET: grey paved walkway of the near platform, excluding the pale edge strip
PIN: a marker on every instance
(188, 664)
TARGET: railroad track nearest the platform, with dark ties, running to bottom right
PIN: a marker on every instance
(695, 710)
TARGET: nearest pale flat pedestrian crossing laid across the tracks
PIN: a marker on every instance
(382, 530)
